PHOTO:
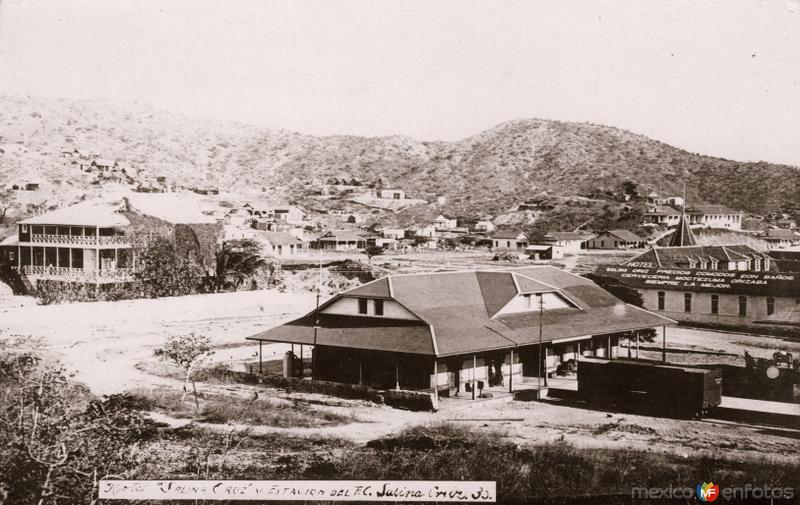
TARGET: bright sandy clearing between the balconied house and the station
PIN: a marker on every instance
(102, 341)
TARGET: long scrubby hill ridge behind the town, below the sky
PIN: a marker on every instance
(485, 174)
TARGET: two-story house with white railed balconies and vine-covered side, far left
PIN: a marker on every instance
(96, 241)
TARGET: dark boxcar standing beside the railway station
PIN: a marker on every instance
(650, 387)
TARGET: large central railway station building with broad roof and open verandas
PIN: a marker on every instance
(446, 331)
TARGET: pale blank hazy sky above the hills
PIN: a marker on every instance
(720, 78)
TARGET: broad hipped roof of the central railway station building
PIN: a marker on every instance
(459, 313)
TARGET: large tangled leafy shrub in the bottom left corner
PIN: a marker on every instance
(57, 439)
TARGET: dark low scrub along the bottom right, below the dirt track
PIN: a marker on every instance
(523, 473)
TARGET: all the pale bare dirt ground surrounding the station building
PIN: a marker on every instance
(103, 342)
